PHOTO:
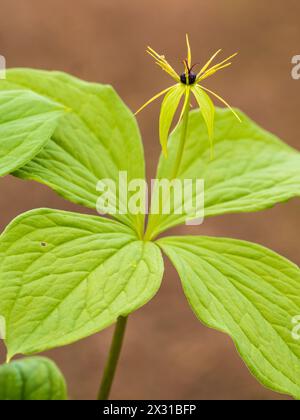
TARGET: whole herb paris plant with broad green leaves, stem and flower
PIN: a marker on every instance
(64, 276)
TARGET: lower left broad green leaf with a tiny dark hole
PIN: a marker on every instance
(65, 276)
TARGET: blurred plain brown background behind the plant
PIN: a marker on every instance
(167, 353)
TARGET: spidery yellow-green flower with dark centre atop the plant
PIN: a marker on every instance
(186, 84)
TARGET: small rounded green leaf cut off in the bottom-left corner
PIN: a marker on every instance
(36, 378)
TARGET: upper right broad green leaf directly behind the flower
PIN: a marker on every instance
(252, 169)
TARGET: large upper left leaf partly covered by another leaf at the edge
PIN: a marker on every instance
(96, 140)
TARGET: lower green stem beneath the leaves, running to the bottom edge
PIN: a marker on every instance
(113, 358)
